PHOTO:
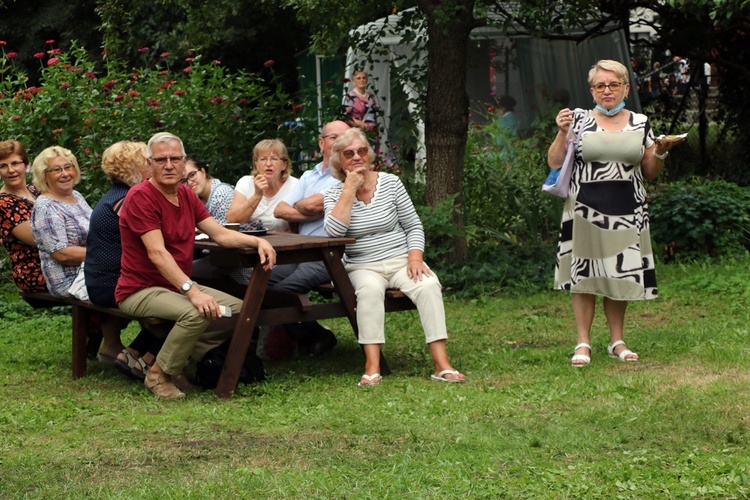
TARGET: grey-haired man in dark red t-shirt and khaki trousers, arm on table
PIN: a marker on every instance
(157, 225)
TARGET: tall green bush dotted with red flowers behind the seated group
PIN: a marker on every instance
(219, 115)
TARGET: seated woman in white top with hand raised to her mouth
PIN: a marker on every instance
(268, 183)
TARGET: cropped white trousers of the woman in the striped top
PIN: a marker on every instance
(370, 281)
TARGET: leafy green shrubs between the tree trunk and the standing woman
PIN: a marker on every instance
(511, 226)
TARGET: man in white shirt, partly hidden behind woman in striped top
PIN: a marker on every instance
(304, 205)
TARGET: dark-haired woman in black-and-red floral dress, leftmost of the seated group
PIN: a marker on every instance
(16, 203)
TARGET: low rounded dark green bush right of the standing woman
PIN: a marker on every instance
(696, 218)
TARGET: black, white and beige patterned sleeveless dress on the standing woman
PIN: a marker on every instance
(605, 241)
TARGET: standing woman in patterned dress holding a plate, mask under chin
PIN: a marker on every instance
(605, 240)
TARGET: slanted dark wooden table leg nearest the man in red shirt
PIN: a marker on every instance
(243, 332)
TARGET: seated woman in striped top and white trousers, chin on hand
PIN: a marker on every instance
(374, 208)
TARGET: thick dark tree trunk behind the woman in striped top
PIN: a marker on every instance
(447, 106)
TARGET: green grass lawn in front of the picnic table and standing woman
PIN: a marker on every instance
(525, 425)
